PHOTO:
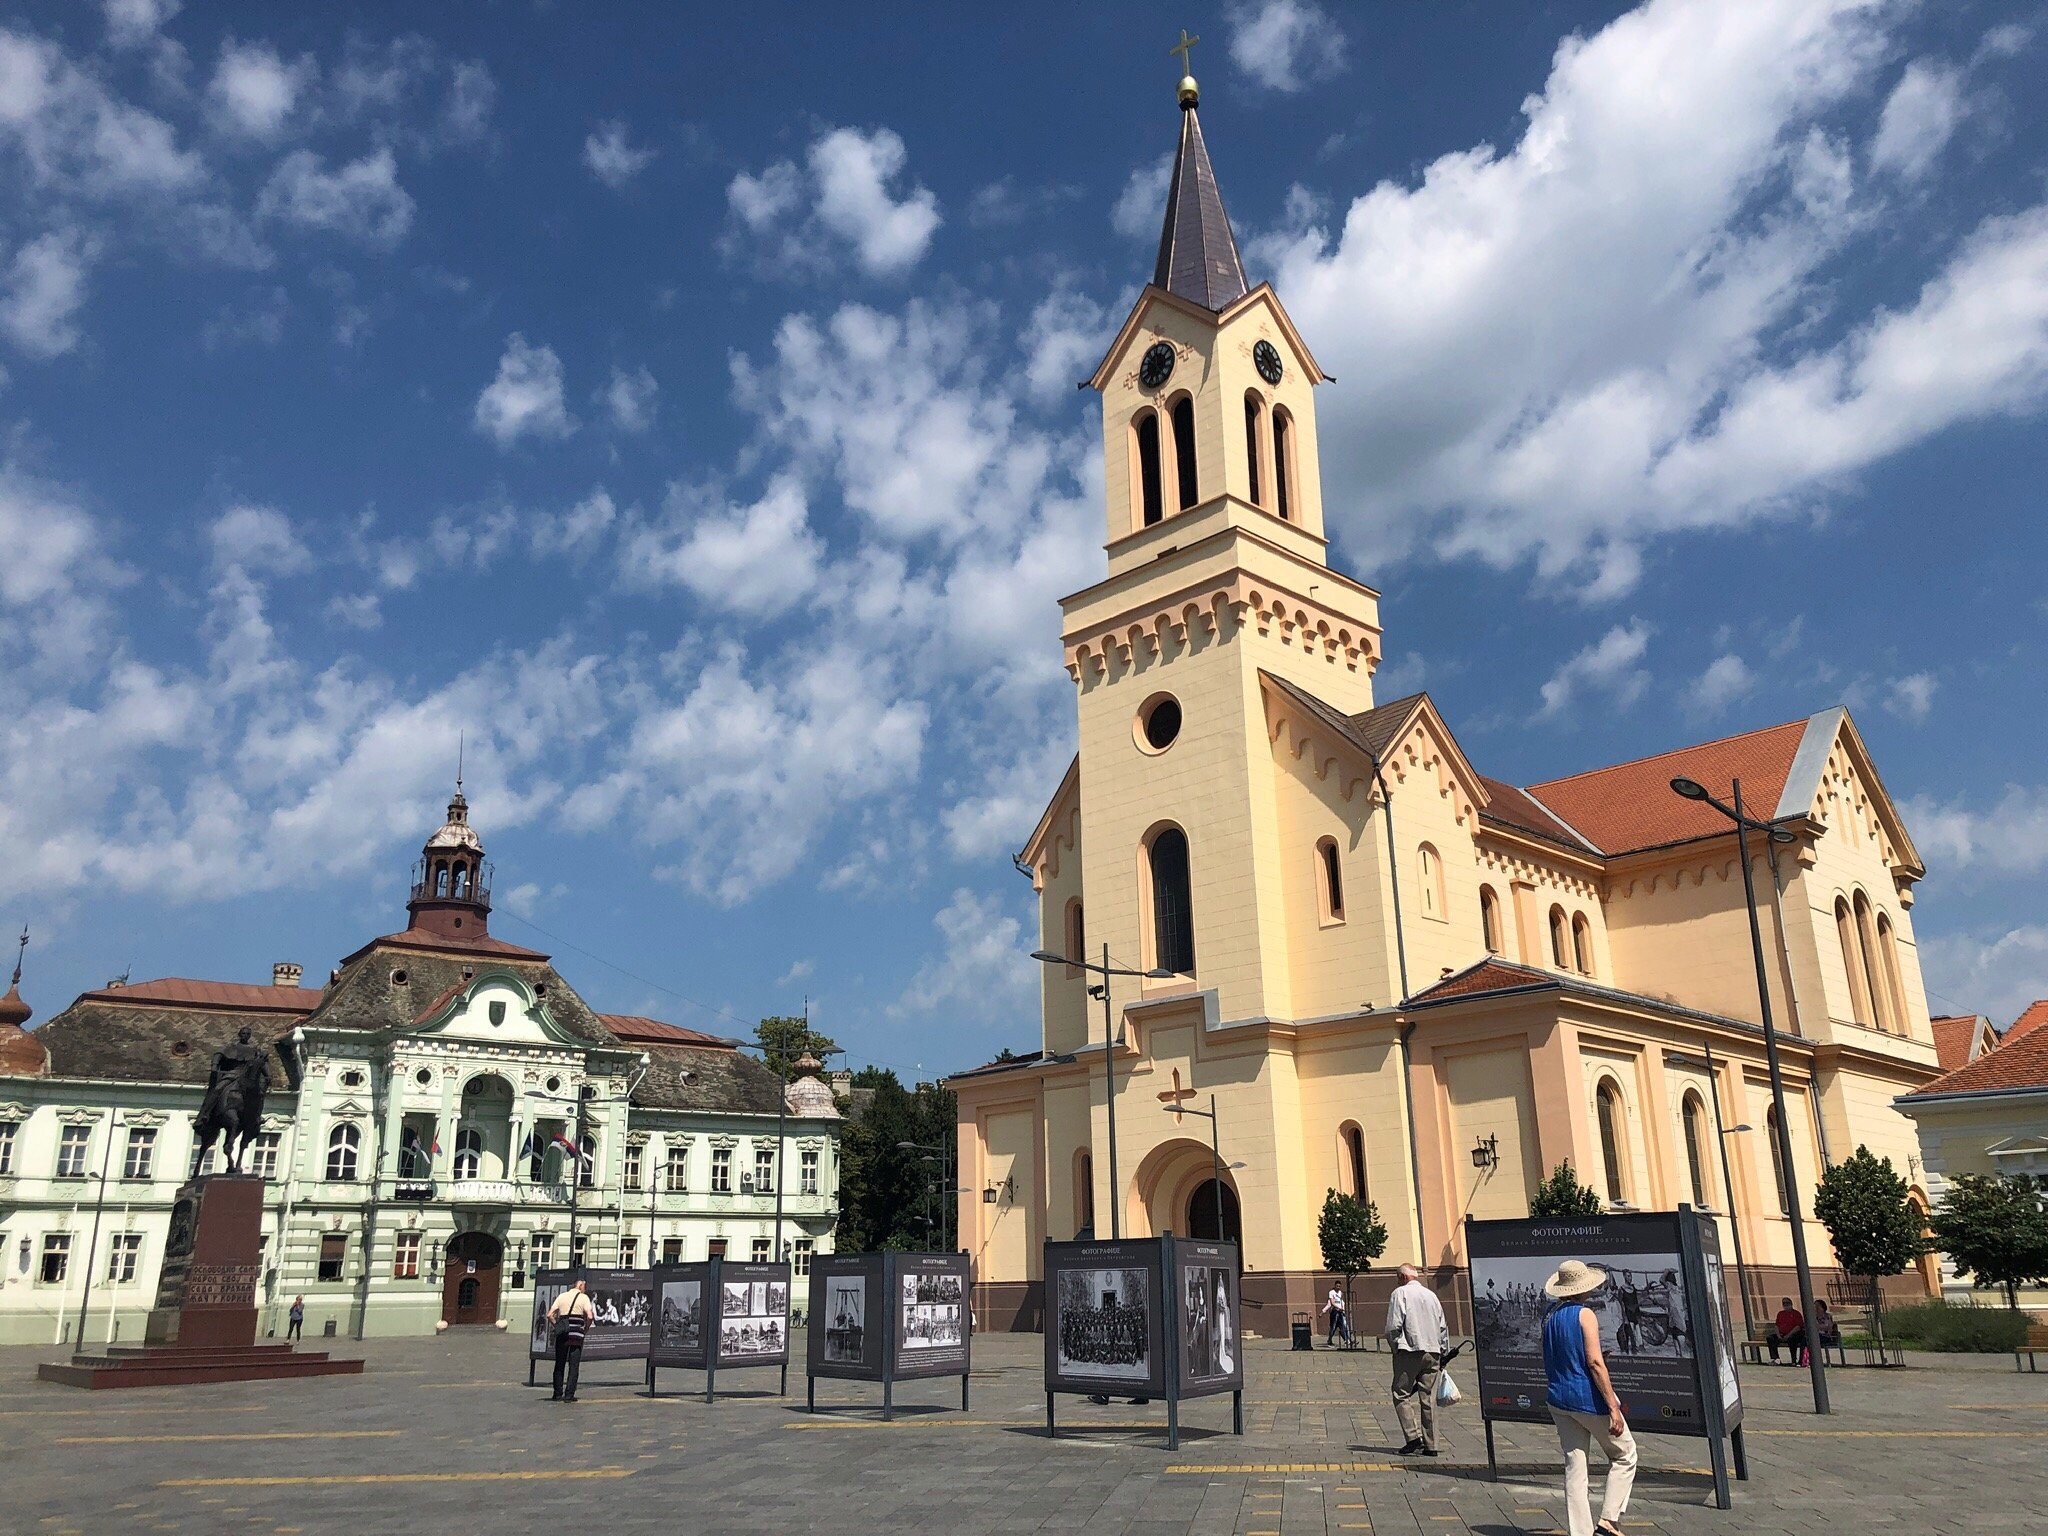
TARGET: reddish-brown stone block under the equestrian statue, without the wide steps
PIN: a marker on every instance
(206, 1297)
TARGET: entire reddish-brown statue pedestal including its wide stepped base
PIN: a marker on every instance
(204, 1324)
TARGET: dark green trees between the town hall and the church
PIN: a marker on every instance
(890, 1197)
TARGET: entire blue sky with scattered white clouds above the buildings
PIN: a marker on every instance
(681, 404)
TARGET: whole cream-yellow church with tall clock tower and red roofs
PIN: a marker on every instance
(1396, 976)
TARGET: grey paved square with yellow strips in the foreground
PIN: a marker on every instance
(445, 1435)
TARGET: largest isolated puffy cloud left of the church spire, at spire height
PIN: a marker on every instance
(847, 194)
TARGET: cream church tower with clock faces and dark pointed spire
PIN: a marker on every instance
(1218, 581)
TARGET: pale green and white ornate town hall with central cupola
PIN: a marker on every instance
(417, 1136)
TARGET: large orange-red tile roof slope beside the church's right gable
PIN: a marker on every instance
(1631, 806)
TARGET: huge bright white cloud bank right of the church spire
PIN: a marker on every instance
(1617, 329)
